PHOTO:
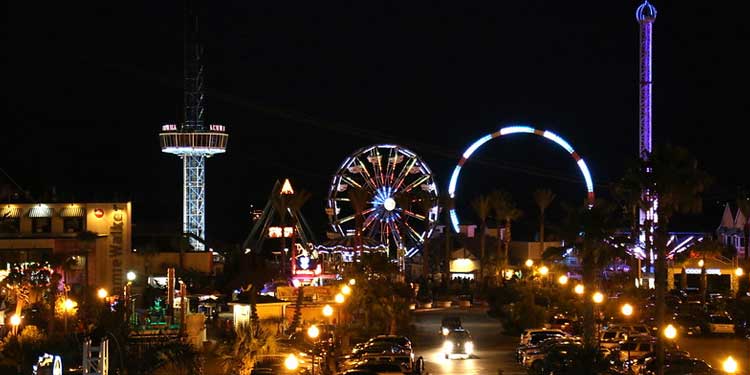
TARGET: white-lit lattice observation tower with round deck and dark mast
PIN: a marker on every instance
(193, 141)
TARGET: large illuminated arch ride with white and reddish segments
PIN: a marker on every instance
(516, 130)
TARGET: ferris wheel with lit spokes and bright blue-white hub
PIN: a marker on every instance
(399, 192)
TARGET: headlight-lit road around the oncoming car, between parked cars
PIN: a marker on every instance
(494, 350)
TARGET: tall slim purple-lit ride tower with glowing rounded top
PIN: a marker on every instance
(645, 14)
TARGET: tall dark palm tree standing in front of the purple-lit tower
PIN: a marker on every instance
(673, 175)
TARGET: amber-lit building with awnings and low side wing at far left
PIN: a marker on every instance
(88, 243)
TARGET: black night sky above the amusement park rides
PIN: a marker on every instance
(303, 84)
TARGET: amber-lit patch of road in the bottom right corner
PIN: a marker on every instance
(715, 349)
